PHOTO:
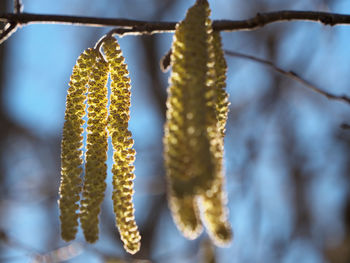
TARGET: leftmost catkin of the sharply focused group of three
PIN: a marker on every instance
(71, 153)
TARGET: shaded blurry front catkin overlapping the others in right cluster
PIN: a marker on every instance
(190, 129)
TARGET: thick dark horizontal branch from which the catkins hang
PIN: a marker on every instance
(137, 27)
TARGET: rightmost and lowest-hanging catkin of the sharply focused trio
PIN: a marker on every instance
(124, 154)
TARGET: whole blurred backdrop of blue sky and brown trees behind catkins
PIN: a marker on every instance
(287, 158)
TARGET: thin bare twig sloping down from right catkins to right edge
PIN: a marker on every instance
(290, 74)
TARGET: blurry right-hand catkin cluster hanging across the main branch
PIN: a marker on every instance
(197, 109)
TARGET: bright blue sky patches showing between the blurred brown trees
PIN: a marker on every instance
(39, 62)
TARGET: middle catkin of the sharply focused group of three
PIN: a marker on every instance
(96, 150)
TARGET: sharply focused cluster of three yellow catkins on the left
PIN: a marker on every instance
(88, 84)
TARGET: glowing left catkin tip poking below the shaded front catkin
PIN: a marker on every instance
(186, 215)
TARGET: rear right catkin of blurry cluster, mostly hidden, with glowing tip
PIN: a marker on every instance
(214, 202)
